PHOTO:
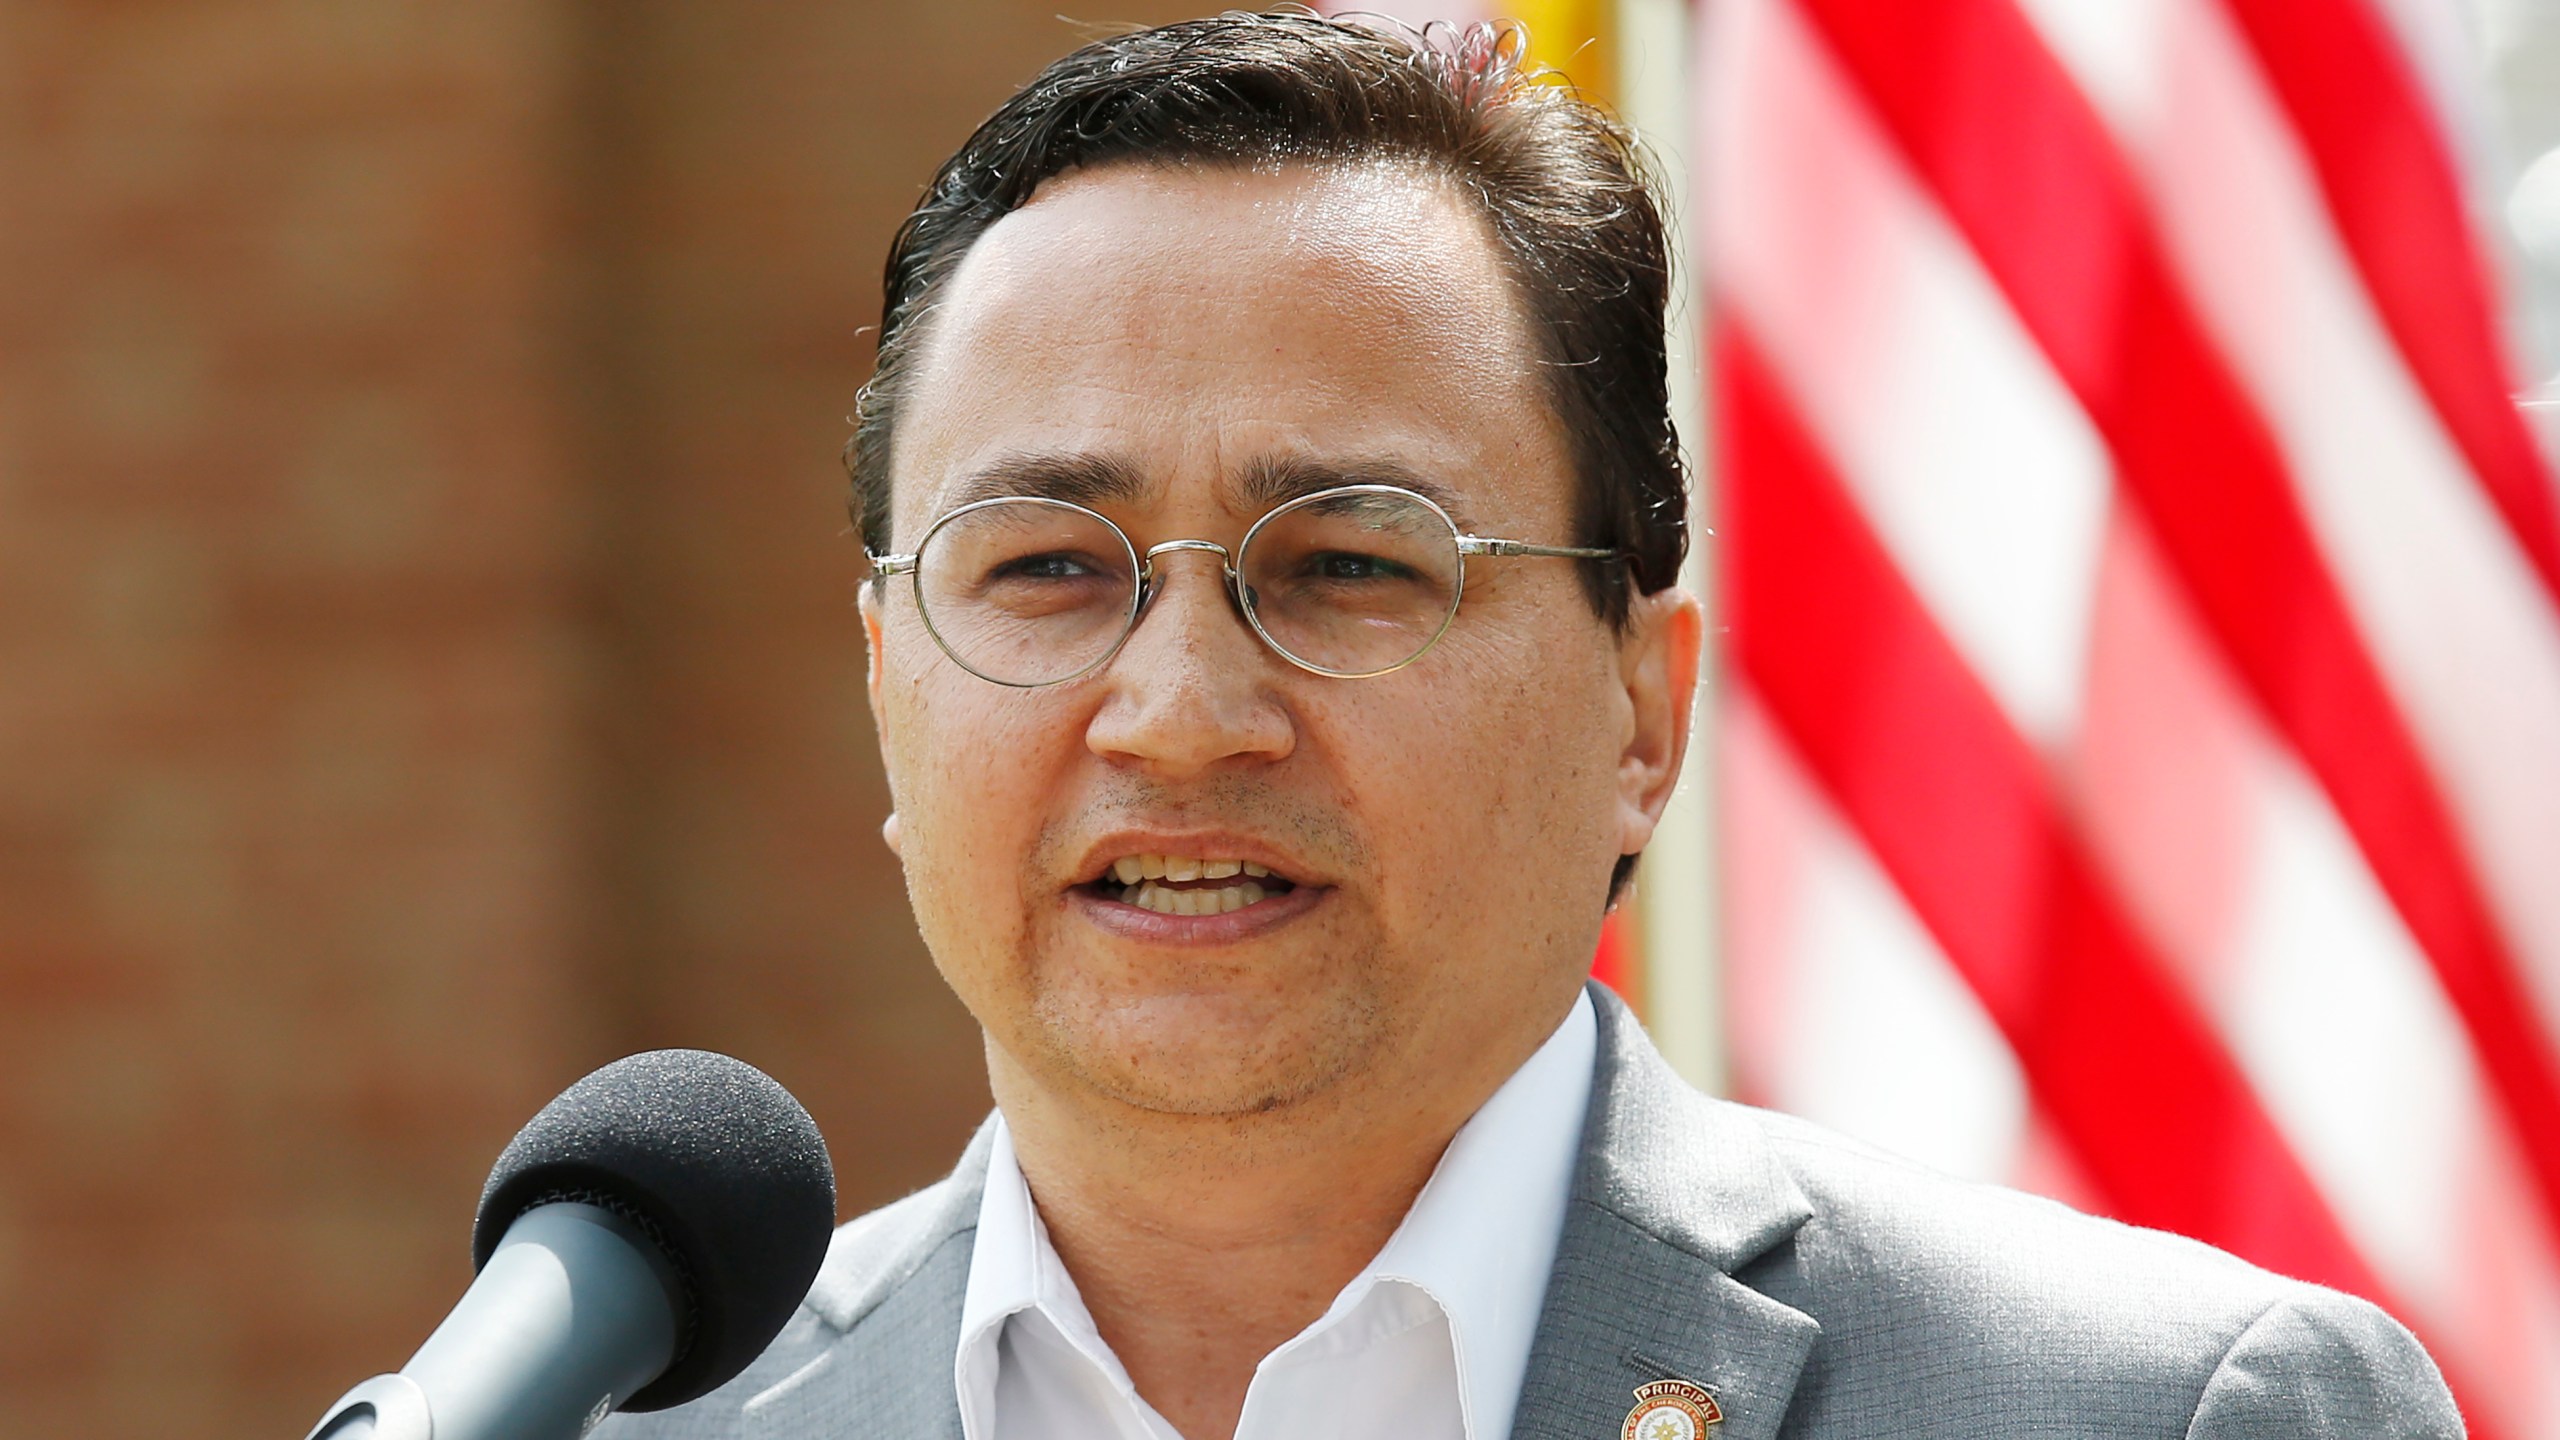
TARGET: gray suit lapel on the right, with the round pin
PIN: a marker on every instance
(1673, 1195)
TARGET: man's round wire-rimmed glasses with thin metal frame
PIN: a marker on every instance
(1348, 583)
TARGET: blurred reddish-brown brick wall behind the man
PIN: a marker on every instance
(426, 639)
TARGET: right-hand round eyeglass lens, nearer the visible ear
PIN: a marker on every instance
(1353, 580)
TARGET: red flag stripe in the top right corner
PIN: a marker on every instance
(2397, 204)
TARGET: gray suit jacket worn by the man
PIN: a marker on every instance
(1816, 1288)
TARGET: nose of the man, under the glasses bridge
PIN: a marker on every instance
(1192, 688)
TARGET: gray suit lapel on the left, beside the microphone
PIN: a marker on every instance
(890, 1372)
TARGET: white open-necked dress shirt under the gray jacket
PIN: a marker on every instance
(1427, 1344)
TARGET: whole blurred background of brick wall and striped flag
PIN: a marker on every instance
(429, 657)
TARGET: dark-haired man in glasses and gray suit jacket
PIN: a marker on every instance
(1279, 667)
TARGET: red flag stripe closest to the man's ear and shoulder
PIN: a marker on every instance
(1960, 814)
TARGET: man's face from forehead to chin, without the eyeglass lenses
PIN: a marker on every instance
(1437, 839)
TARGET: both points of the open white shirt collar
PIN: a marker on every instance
(1481, 1241)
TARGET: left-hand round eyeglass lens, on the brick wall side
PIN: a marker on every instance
(1028, 591)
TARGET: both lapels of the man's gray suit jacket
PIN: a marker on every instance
(1673, 1195)
